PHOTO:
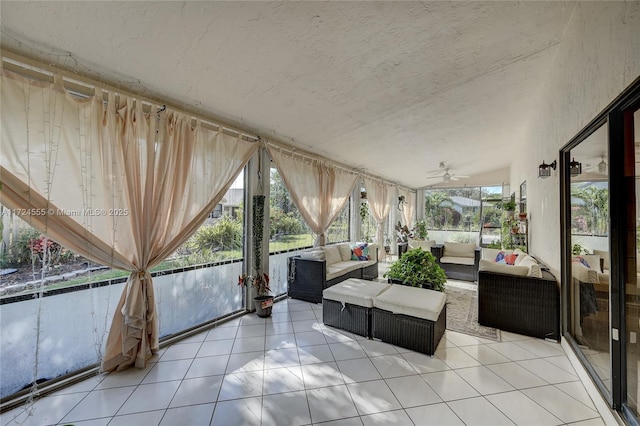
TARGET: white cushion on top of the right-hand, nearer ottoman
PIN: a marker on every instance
(411, 301)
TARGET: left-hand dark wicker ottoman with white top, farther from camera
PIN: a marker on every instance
(347, 305)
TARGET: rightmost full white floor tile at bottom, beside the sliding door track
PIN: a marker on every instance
(560, 404)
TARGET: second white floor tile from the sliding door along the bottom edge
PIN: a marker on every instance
(522, 410)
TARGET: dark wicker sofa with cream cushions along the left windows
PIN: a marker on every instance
(321, 267)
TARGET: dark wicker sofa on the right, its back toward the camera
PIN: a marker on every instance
(523, 298)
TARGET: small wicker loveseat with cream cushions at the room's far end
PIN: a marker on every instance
(459, 261)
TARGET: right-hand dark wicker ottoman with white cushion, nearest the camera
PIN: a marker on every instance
(410, 317)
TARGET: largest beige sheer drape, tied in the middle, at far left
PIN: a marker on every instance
(119, 186)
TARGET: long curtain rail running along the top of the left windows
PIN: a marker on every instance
(83, 83)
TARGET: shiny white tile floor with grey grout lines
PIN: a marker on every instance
(290, 369)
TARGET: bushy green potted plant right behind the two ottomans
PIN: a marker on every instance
(417, 268)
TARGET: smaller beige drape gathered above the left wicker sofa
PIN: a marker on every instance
(319, 190)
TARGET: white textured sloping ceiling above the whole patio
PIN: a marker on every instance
(393, 88)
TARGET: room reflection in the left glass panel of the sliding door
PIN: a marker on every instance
(590, 287)
